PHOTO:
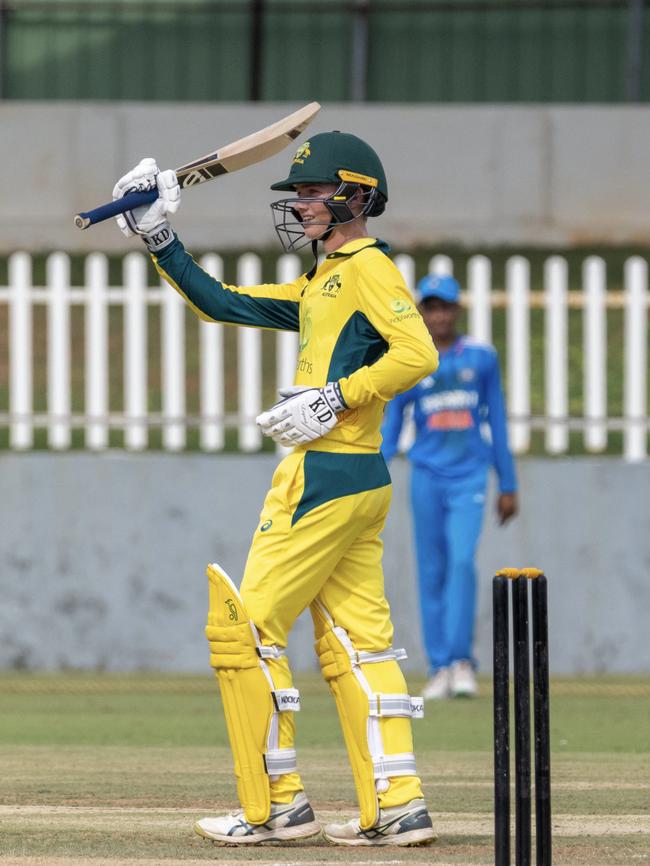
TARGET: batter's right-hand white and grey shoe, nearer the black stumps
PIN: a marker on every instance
(409, 824)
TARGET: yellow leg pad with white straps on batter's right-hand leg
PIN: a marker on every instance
(374, 712)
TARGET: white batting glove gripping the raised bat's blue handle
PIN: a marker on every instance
(149, 221)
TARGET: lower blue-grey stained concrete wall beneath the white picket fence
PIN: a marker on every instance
(102, 558)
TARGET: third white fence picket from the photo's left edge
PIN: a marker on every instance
(96, 352)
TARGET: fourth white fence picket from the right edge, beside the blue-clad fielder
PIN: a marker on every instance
(518, 351)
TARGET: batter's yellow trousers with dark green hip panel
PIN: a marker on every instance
(318, 539)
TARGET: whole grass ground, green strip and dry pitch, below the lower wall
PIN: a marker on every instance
(114, 770)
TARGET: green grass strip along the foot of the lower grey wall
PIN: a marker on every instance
(610, 715)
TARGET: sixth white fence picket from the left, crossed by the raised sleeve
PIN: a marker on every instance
(211, 370)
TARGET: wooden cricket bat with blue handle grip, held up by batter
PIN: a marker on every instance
(231, 157)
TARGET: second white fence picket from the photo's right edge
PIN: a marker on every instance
(594, 351)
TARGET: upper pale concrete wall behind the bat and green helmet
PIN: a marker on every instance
(551, 175)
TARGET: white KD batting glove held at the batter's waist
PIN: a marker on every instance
(303, 415)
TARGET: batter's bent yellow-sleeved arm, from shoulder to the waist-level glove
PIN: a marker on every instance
(388, 306)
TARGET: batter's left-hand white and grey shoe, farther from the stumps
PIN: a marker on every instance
(287, 821)
